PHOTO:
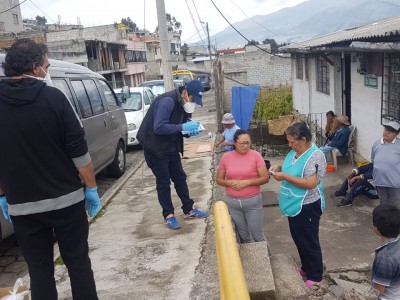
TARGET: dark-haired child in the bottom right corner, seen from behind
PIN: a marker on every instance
(385, 269)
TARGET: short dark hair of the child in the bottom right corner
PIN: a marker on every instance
(386, 218)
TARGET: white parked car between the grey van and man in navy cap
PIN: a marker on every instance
(135, 108)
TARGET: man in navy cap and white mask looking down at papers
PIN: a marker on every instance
(161, 137)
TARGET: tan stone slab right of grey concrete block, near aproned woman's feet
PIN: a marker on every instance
(289, 285)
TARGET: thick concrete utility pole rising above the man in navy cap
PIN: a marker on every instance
(165, 45)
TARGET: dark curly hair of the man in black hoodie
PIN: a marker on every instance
(22, 56)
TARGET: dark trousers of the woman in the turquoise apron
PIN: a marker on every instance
(305, 233)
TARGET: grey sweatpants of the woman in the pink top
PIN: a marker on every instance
(248, 216)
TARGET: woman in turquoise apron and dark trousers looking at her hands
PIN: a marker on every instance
(301, 198)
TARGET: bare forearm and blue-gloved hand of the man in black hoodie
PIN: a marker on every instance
(92, 199)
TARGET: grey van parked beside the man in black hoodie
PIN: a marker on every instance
(100, 112)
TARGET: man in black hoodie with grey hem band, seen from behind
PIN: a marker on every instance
(43, 151)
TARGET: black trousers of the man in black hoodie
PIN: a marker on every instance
(35, 236)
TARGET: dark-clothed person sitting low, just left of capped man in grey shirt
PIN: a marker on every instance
(358, 184)
